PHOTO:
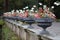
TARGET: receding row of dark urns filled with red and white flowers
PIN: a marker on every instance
(43, 17)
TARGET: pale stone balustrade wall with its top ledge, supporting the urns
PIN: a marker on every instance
(26, 33)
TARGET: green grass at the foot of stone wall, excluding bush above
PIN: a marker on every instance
(8, 34)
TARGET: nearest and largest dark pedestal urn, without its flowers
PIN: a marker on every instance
(44, 23)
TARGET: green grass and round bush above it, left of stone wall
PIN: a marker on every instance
(7, 34)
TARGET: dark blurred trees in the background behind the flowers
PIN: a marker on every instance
(8, 5)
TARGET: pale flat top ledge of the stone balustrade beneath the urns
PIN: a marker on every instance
(33, 30)
